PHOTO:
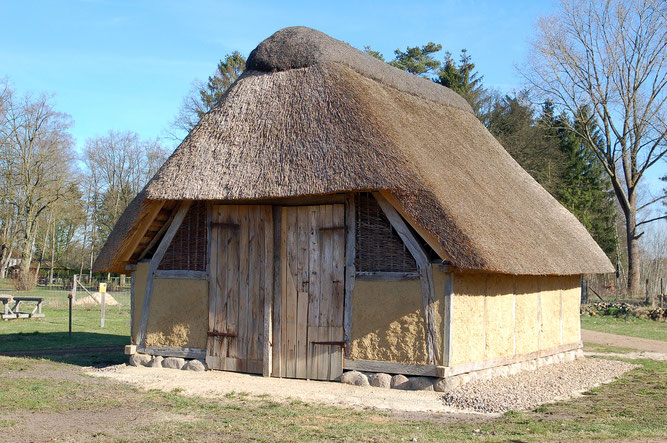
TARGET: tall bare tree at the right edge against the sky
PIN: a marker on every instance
(610, 56)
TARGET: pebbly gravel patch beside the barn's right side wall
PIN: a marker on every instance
(530, 389)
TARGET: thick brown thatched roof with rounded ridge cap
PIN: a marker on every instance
(312, 115)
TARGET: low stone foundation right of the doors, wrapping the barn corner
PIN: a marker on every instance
(449, 383)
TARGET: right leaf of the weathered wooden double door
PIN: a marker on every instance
(312, 291)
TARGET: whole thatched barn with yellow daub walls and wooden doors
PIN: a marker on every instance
(335, 213)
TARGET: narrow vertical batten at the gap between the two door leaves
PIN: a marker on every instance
(267, 336)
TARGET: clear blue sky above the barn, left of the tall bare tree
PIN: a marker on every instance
(126, 65)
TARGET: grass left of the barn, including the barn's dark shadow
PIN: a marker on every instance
(51, 332)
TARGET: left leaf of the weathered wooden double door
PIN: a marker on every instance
(241, 279)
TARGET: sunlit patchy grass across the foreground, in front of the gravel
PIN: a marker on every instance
(40, 393)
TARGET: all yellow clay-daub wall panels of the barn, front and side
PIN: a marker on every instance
(493, 316)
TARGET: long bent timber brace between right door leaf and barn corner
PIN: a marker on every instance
(425, 272)
